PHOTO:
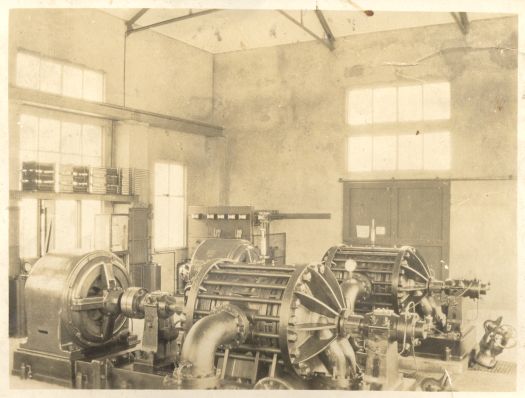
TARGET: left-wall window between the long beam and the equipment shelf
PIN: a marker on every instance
(60, 142)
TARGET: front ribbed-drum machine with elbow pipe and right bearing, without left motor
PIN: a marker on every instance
(284, 323)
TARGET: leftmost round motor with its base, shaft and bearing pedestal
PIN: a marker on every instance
(77, 308)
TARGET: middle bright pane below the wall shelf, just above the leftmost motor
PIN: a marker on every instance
(65, 225)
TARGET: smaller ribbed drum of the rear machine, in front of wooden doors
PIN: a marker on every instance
(394, 277)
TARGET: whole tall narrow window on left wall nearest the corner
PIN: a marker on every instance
(170, 206)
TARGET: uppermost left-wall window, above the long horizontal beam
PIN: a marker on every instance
(58, 77)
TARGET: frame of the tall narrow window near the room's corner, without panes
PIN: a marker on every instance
(184, 196)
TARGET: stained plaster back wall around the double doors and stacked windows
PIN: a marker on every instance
(284, 111)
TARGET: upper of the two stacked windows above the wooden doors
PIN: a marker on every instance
(428, 101)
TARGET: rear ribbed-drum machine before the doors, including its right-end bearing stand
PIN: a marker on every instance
(399, 278)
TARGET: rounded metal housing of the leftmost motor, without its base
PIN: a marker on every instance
(72, 285)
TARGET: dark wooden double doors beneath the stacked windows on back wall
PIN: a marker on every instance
(414, 213)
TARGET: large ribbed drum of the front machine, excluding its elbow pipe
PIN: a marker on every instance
(295, 311)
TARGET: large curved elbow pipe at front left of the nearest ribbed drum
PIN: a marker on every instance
(228, 325)
